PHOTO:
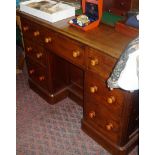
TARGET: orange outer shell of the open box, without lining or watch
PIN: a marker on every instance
(95, 23)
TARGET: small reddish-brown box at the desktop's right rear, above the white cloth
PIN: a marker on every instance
(126, 30)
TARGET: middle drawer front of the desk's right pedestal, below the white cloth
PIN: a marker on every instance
(96, 91)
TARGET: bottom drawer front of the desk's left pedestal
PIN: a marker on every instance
(37, 73)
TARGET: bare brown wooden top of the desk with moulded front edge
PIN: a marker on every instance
(103, 38)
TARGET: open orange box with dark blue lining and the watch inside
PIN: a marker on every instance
(91, 17)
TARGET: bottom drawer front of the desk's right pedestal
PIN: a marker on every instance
(102, 121)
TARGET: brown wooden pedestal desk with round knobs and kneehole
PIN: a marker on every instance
(63, 61)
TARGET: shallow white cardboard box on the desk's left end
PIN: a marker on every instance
(51, 11)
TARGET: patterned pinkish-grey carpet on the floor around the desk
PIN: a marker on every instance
(44, 129)
